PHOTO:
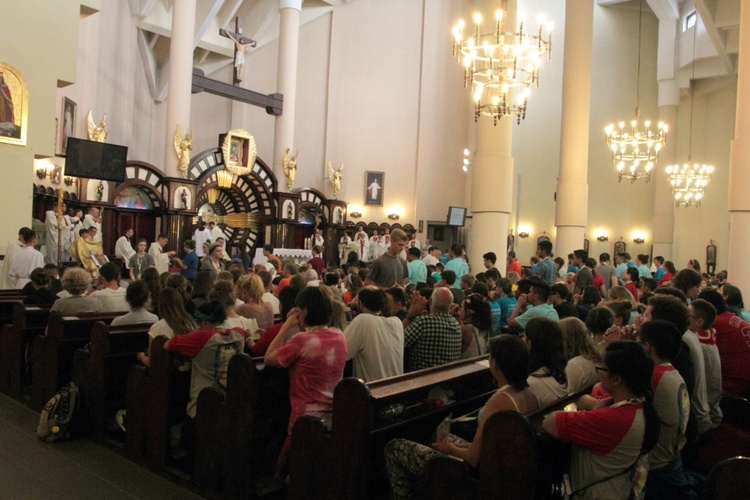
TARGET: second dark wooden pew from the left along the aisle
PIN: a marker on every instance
(55, 352)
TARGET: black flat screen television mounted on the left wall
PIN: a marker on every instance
(95, 160)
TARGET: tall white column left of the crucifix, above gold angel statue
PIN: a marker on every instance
(180, 79)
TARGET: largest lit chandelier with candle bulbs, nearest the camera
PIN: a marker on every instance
(497, 62)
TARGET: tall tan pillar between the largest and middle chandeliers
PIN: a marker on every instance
(571, 210)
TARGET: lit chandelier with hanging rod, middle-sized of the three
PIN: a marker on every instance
(635, 149)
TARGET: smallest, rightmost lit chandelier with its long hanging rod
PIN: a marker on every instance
(689, 180)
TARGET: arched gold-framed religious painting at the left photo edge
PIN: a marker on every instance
(14, 105)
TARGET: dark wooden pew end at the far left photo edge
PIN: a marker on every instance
(28, 322)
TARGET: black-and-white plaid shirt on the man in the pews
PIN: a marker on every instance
(431, 340)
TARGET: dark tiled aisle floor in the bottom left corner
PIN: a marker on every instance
(76, 469)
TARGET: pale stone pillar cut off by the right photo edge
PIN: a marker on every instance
(739, 173)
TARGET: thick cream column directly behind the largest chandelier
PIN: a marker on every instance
(492, 181)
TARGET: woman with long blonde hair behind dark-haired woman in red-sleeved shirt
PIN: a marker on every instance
(581, 355)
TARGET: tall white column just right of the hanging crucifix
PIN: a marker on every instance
(286, 84)
